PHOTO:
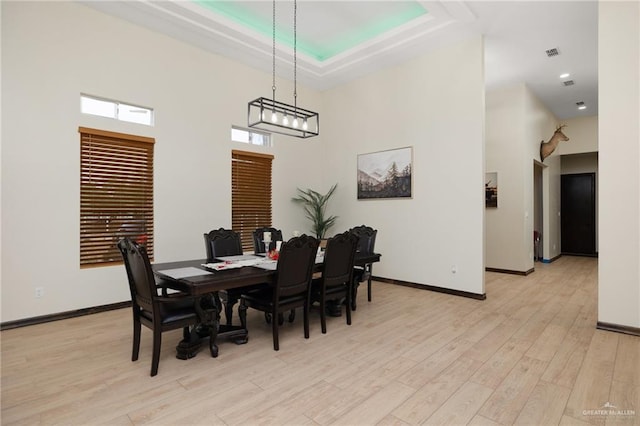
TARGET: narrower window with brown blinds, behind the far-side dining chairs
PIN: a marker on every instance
(250, 193)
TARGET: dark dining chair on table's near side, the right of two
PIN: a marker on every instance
(336, 282)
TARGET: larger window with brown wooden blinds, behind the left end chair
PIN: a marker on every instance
(116, 194)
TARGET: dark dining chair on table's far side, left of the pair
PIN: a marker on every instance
(226, 242)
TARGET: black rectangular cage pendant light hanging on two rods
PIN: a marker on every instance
(278, 117)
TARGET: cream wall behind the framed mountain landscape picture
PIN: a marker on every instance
(434, 104)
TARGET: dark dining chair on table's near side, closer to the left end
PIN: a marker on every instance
(291, 287)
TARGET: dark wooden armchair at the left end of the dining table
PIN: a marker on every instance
(158, 313)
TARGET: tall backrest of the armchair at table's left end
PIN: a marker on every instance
(142, 283)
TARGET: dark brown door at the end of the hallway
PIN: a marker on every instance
(578, 213)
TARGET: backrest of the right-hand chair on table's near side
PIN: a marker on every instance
(339, 257)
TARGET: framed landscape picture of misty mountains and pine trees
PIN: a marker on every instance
(385, 174)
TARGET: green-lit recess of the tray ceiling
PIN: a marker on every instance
(322, 50)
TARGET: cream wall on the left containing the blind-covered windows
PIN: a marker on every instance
(52, 52)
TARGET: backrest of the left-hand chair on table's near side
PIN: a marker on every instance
(295, 266)
